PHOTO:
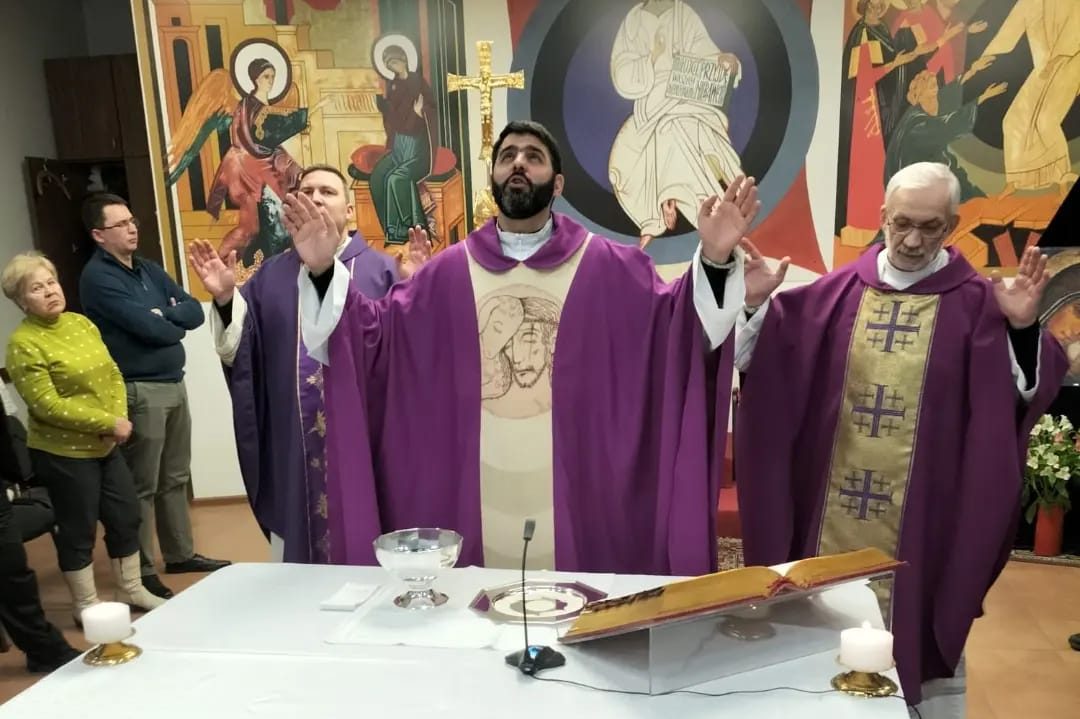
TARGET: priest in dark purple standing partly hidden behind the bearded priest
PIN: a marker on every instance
(277, 388)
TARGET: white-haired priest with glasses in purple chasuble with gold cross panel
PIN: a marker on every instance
(888, 404)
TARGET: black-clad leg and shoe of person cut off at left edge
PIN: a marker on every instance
(21, 613)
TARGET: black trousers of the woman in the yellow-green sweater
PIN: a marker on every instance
(86, 492)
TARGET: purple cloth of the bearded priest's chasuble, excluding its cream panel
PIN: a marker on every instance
(639, 412)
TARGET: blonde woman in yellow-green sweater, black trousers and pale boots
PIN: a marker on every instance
(78, 415)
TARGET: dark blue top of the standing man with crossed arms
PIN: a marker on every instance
(121, 302)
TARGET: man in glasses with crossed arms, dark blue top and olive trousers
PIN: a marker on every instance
(143, 316)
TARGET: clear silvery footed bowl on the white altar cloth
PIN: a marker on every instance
(416, 557)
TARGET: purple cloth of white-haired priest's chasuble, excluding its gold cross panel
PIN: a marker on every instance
(962, 505)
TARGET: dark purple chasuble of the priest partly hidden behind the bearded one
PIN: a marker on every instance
(277, 401)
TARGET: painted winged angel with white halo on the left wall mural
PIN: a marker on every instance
(256, 172)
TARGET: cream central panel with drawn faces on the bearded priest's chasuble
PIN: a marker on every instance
(518, 314)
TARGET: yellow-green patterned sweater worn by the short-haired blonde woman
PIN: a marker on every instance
(72, 387)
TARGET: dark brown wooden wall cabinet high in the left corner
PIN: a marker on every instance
(97, 107)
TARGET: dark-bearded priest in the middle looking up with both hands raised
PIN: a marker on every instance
(535, 371)
